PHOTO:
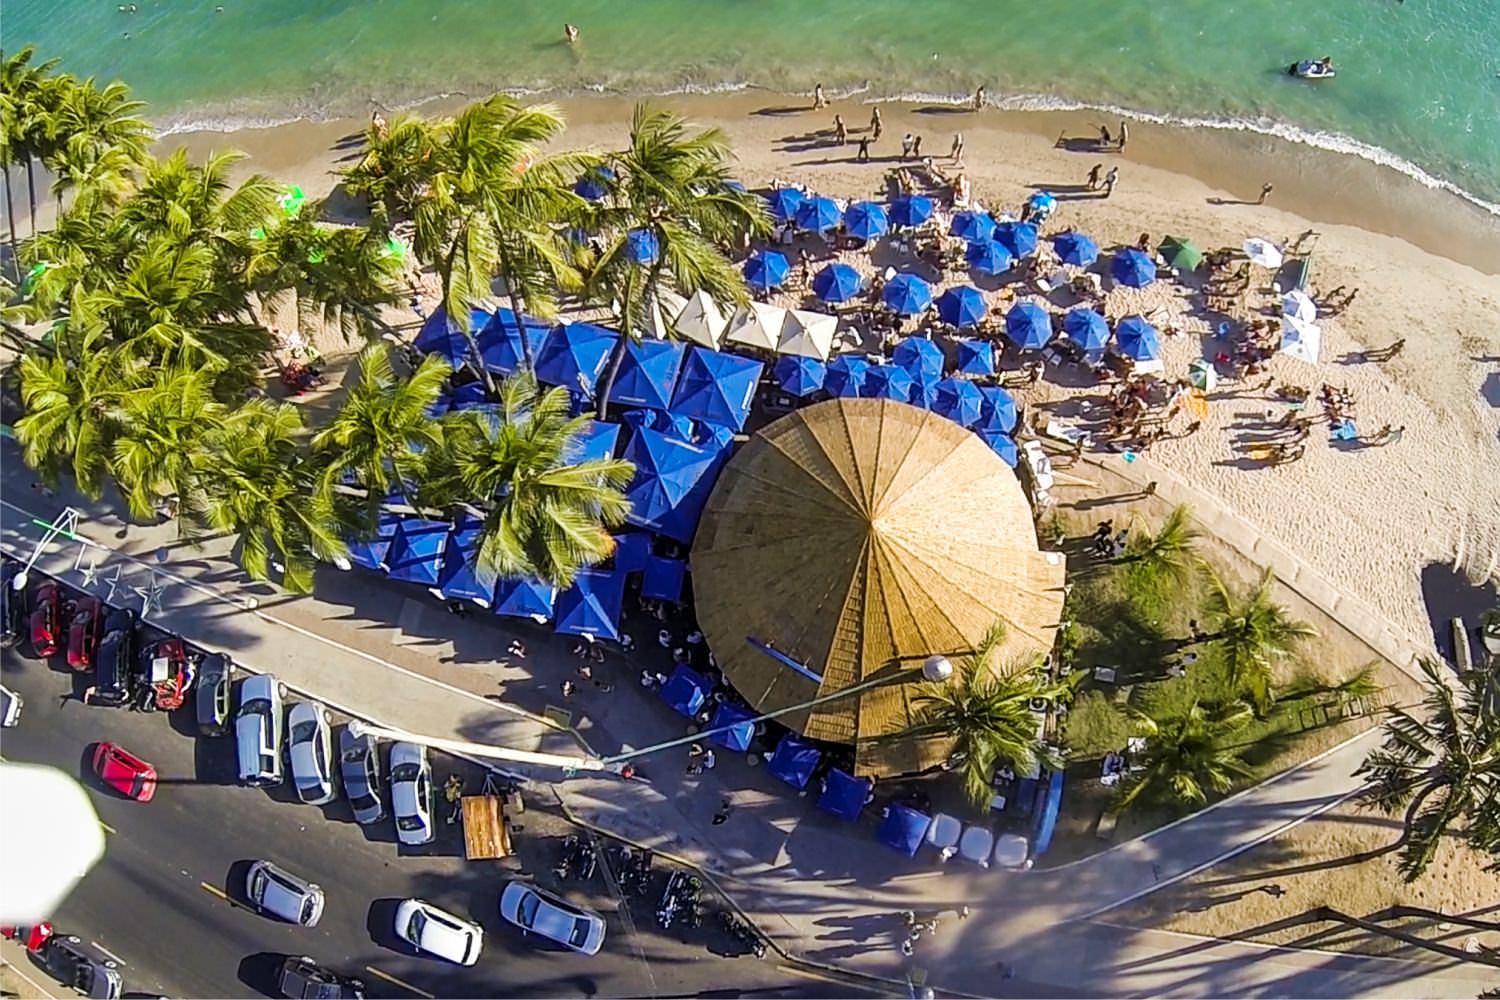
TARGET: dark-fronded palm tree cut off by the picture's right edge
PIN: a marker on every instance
(1444, 770)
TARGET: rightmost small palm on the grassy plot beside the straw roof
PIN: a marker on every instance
(1253, 633)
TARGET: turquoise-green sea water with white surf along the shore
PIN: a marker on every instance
(1418, 83)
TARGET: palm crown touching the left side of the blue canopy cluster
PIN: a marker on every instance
(383, 427)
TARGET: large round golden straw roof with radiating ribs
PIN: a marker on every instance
(859, 537)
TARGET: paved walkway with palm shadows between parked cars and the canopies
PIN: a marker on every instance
(824, 890)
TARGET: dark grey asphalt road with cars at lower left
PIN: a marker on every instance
(166, 897)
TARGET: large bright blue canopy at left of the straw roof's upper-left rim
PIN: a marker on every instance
(671, 485)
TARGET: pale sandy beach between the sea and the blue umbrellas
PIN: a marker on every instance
(1412, 528)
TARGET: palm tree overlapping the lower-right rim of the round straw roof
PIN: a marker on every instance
(988, 714)
